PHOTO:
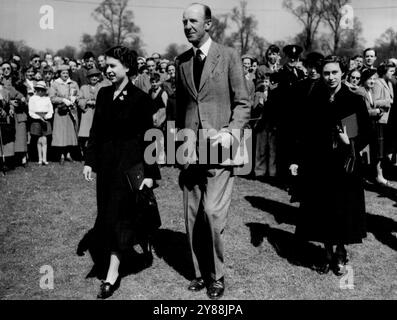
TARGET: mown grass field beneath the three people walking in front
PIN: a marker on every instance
(46, 211)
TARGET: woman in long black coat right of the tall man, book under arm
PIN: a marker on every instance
(332, 200)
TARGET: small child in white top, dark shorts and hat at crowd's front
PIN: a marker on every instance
(40, 111)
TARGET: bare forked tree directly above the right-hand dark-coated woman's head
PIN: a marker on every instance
(333, 16)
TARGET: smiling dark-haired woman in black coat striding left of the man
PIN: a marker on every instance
(123, 113)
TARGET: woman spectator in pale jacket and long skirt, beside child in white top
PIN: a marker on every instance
(63, 94)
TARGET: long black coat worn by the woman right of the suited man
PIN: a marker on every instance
(332, 201)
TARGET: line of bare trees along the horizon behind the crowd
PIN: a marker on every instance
(320, 20)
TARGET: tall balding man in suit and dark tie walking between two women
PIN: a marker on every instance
(212, 100)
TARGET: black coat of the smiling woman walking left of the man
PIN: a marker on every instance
(114, 146)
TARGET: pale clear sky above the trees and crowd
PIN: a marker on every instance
(161, 20)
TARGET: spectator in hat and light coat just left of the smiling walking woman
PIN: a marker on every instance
(86, 103)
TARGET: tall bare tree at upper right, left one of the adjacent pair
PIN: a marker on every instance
(310, 14)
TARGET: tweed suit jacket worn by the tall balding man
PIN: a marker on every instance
(222, 100)
